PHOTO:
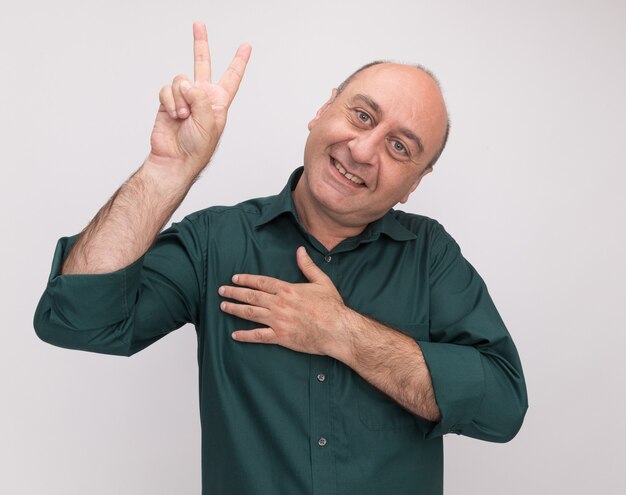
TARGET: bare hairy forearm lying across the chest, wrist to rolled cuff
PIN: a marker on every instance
(392, 362)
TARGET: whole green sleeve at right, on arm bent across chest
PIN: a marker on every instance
(475, 368)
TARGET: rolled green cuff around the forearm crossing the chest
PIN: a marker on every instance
(458, 381)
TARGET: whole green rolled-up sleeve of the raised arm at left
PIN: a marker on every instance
(127, 310)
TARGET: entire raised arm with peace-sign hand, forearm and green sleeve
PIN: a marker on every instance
(109, 291)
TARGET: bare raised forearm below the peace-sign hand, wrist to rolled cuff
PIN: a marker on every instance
(127, 225)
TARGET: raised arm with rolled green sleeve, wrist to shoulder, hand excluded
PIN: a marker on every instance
(107, 291)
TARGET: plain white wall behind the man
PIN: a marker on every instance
(531, 185)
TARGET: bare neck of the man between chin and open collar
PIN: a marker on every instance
(319, 223)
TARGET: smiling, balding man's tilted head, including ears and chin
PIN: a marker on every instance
(370, 145)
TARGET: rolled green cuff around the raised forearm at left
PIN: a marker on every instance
(109, 296)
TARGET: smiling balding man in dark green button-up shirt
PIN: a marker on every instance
(378, 336)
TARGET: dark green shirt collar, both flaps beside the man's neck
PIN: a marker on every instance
(283, 204)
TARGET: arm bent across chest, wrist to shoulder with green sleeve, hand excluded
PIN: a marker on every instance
(467, 377)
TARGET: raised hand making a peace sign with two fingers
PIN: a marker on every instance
(192, 116)
